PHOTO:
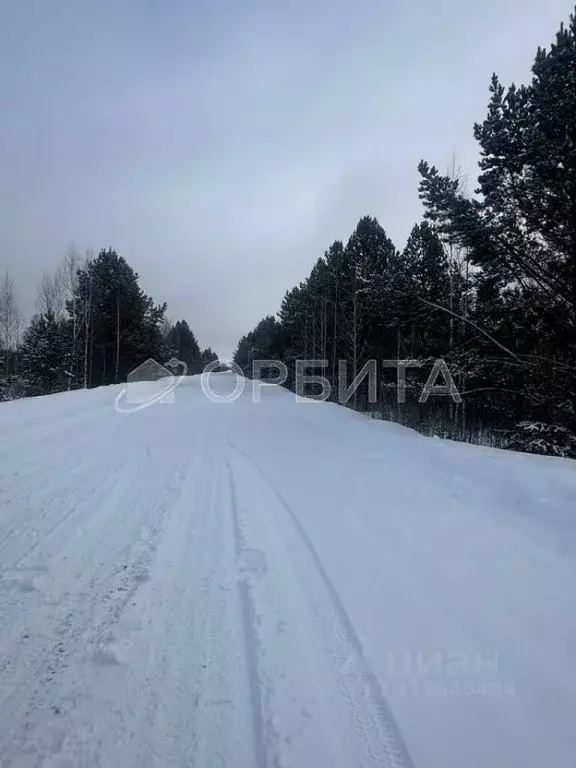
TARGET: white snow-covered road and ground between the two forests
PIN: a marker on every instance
(278, 585)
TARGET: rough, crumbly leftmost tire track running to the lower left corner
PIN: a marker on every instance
(81, 628)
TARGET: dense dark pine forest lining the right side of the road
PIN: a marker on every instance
(486, 282)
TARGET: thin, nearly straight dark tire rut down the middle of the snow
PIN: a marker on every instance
(251, 641)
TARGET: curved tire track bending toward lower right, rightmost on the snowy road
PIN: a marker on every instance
(358, 682)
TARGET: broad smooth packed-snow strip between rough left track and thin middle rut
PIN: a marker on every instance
(180, 693)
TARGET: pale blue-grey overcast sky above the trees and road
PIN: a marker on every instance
(220, 146)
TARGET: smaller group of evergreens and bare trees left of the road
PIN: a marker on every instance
(94, 325)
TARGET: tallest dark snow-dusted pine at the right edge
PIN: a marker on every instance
(521, 234)
